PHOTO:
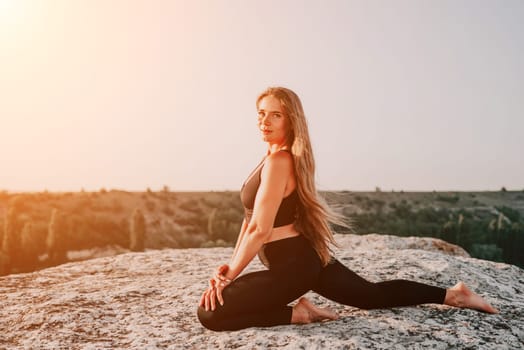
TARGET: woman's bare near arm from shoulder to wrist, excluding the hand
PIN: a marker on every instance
(274, 177)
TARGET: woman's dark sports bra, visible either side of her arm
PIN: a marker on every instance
(286, 213)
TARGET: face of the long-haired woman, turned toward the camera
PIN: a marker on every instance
(272, 121)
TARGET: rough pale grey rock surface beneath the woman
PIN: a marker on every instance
(148, 300)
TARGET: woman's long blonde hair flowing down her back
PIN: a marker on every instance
(314, 215)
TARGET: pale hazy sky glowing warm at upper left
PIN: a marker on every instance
(400, 95)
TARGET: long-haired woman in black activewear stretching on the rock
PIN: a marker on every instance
(288, 226)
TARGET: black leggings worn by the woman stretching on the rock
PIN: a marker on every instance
(261, 298)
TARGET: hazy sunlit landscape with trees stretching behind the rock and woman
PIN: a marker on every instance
(43, 229)
